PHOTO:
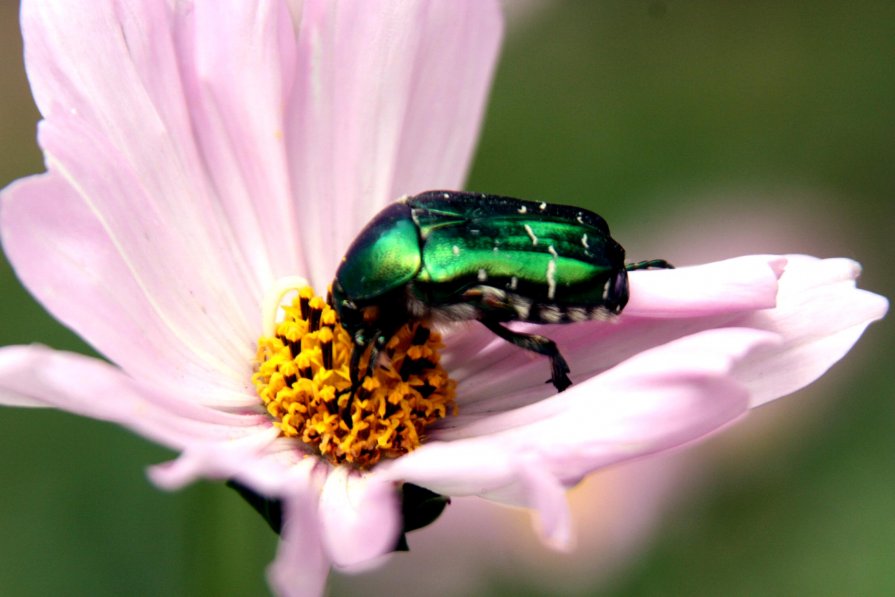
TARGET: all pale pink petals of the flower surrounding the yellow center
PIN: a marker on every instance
(198, 153)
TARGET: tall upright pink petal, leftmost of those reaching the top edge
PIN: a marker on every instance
(105, 75)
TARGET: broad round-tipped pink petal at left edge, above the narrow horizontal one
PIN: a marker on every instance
(63, 256)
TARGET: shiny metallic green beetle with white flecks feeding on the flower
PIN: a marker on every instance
(454, 256)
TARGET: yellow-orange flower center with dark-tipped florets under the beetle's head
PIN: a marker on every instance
(302, 375)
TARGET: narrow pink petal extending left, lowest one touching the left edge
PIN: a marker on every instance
(213, 443)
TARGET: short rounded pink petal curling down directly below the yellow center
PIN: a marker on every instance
(360, 517)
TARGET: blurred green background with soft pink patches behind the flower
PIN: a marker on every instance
(699, 130)
